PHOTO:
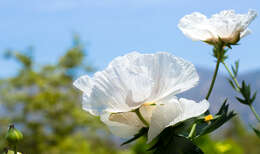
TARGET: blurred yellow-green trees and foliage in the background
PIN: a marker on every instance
(42, 103)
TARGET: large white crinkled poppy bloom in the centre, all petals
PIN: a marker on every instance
(144, 84)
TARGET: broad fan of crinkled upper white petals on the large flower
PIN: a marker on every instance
(133, 79)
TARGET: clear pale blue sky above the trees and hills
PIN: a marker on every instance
(111, 28)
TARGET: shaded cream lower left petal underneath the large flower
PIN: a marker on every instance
(120, 129)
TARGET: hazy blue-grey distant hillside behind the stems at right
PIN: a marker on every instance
(223, 90)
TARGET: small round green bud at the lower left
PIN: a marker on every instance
(13, 135)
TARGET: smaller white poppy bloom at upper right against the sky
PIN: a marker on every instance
(227, 25)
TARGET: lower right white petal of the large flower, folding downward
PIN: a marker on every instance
(172, 112)
